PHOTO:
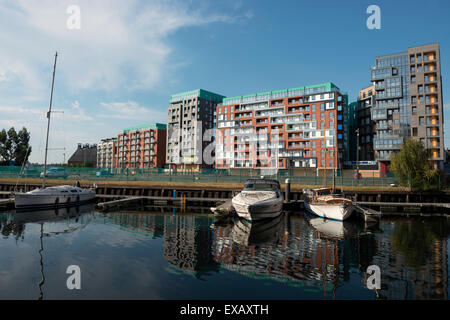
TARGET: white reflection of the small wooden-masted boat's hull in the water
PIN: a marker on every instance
(331, 228)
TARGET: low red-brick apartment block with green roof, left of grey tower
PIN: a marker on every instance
(141, 147)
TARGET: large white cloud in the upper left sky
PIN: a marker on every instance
(121, 44)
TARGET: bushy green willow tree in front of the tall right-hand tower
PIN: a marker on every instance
(412, 166)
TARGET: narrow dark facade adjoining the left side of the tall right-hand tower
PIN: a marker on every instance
(365, 124)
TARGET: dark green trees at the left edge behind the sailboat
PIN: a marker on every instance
(14, 146)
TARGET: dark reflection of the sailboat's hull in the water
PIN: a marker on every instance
(48, 215)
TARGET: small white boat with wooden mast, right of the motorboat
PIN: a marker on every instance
(323, 203)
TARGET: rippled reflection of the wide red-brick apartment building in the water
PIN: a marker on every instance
(297, 257)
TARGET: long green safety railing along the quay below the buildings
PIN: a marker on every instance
(297, 176)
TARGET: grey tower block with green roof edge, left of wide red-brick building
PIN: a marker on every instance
(190, 129)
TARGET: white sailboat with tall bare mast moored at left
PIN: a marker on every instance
(57, 196)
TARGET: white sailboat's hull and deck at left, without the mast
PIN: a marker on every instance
(59, 196)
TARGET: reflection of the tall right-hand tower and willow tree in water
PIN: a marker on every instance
(413, 261)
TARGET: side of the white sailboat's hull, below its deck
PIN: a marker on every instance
(29, 201)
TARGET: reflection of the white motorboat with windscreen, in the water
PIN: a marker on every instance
(257, 232)
